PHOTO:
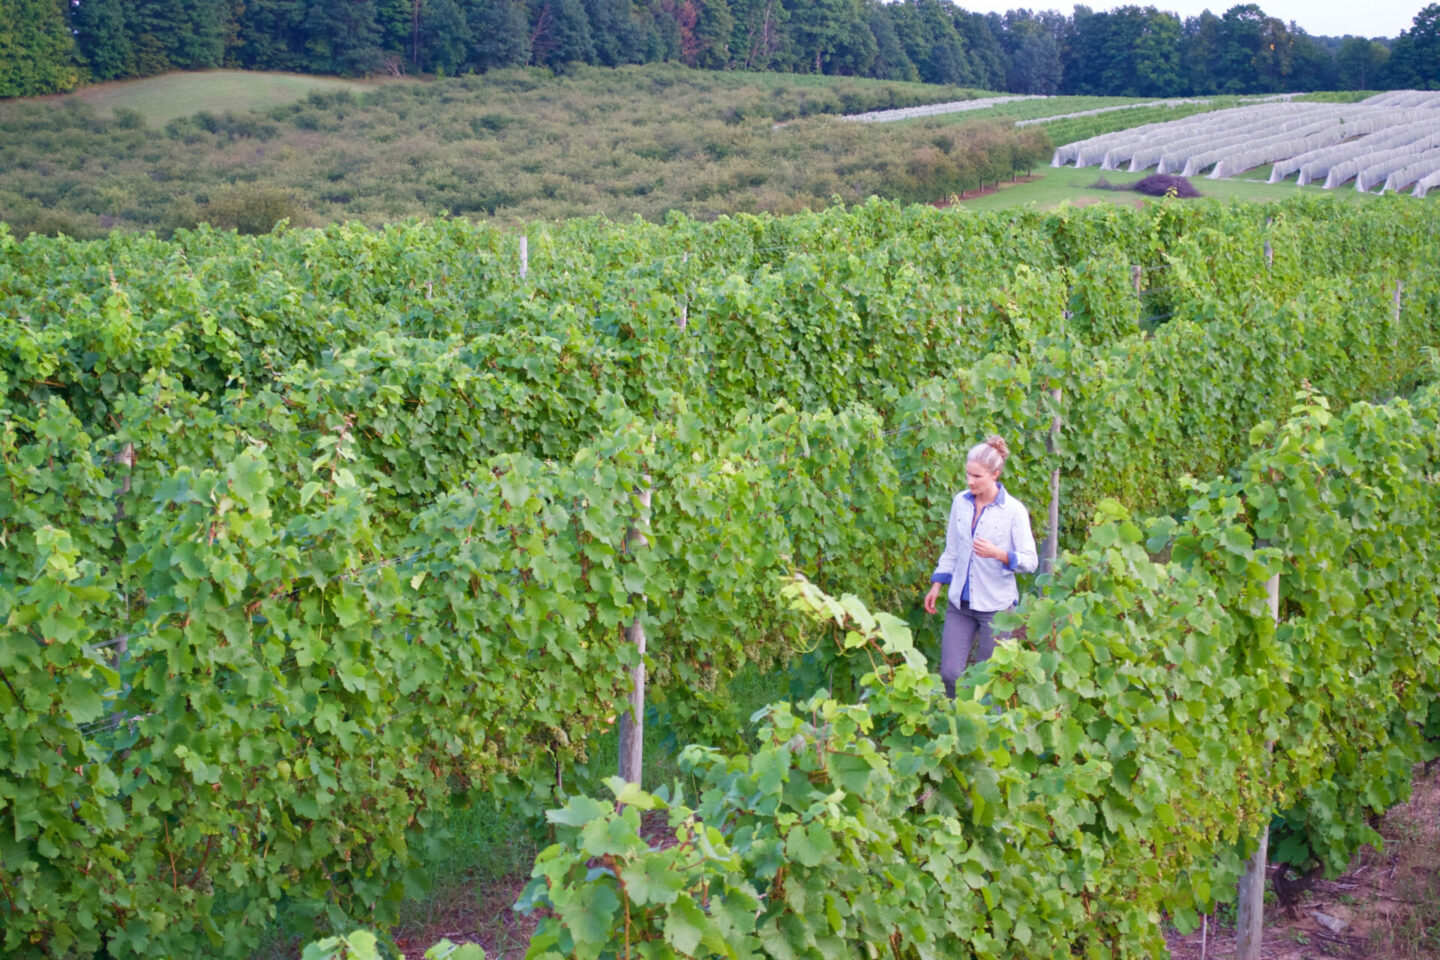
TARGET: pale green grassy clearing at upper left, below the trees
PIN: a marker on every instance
(182, 94)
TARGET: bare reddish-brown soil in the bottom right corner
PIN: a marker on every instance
(1385, 907)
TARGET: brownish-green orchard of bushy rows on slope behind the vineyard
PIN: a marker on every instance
(510, 146)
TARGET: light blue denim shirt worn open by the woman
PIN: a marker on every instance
(987, 584)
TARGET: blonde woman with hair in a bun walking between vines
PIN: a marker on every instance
(987, 542)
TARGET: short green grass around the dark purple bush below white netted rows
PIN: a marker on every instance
(1068, 185)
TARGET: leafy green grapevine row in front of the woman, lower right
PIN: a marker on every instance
(1127, 764)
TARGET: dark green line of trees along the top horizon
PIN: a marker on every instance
(57, 45)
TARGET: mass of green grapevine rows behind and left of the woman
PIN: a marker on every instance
(305, 538)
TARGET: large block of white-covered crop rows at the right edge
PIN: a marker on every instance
(1383, 140)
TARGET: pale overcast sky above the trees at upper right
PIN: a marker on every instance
(1318, 18)
